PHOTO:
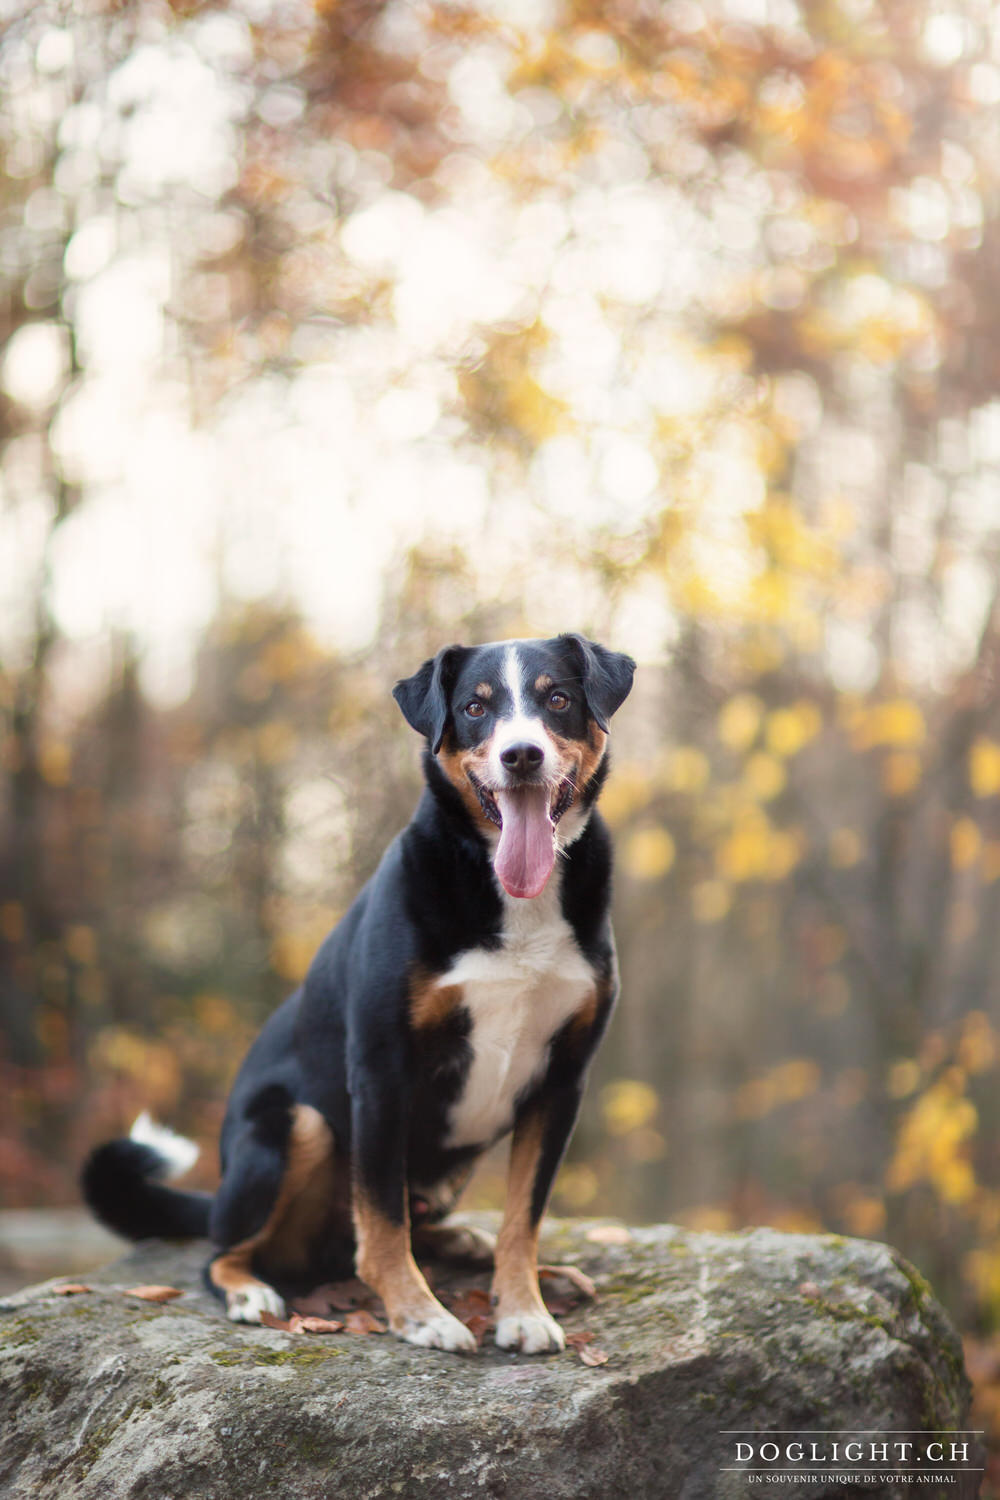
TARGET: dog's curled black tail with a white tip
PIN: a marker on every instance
(124, 1186)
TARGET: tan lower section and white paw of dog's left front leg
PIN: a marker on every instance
(388, 1264)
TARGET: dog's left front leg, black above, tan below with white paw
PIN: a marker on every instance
(382, 1220)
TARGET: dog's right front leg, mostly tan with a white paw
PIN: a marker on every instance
(540, 1138)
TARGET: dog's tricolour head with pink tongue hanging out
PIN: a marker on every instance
(521, 730)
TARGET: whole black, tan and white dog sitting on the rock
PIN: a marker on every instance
(461, 998)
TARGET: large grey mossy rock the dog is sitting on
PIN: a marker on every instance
(109, 1397)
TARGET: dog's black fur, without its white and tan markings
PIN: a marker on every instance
(346, 1045)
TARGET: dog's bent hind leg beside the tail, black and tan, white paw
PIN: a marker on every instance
(272, 1202)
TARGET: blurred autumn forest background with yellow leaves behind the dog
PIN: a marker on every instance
(337, 332)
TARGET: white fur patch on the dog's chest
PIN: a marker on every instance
(518, 997)
